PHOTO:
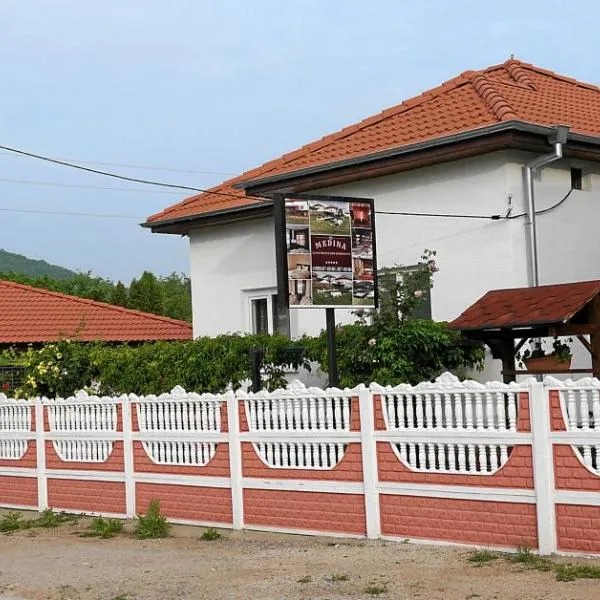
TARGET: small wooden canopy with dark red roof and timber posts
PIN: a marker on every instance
(502, 316)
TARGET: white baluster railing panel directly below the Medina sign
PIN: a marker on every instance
(297, 410)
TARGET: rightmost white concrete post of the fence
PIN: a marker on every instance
(543, 467)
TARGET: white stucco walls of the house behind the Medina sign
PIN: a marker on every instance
(474, 255)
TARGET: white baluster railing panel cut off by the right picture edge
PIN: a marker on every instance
(580, 407)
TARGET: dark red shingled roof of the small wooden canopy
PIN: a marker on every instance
(520, 307)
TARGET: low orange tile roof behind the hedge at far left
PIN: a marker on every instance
(31, 315)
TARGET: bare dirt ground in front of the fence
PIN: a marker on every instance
(59, 565)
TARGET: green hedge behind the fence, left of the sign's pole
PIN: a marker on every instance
(203, 365)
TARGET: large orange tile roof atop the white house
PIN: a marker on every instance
(511, 91)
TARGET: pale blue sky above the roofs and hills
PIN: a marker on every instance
(219, 86)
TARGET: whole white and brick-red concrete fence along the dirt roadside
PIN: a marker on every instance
(306, 455)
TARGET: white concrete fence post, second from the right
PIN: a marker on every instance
(369, 461)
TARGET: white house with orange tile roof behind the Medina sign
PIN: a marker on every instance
(447, 171)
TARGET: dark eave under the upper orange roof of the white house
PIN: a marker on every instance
(255, 186)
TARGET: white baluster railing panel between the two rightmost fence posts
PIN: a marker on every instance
(468, 409)
